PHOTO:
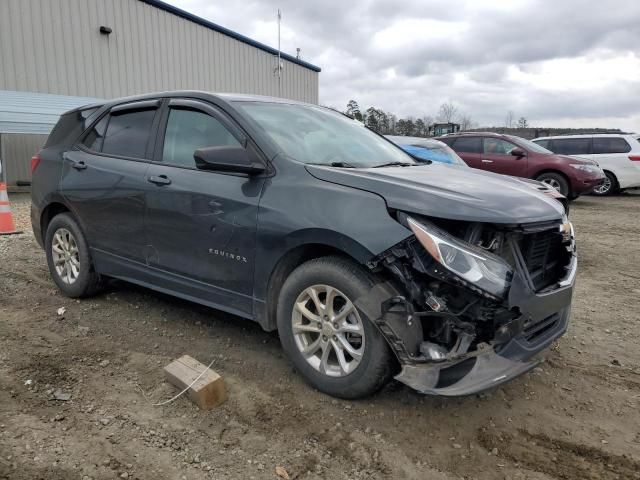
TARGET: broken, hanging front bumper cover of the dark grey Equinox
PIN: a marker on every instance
(489, 365)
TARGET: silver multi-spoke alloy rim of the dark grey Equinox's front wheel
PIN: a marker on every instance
(328, 330)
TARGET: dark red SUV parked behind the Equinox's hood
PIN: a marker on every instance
(516, 156)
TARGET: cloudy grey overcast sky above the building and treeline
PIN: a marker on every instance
(559, 63)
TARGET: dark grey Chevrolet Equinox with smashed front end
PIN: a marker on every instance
(369, 264)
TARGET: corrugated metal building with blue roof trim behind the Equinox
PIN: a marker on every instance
(76, 50)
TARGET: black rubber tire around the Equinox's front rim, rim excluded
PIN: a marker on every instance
(377, 364)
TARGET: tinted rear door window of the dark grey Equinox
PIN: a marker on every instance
(128, 133)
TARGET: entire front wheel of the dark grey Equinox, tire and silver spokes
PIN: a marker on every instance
(348, 281)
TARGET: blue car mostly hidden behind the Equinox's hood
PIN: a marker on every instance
(432, 150)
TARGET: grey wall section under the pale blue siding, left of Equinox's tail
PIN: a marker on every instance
(16, 152)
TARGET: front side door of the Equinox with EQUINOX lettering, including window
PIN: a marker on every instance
(201, 225)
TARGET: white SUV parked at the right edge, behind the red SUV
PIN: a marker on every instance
(618, 155)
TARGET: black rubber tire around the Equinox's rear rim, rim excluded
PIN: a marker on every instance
(88, 282)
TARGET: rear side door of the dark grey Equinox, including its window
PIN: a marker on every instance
(103, 179)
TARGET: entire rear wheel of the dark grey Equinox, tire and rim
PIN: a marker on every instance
(78, 277)
